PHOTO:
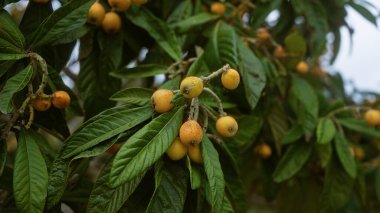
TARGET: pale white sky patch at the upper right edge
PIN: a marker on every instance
(362, 64)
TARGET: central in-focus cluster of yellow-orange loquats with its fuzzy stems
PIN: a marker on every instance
(191, 132)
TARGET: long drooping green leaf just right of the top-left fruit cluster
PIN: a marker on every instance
(159, 30)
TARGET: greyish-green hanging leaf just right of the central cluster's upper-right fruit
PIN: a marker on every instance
(252, 74)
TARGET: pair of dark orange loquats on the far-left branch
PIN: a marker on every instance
(59, 99)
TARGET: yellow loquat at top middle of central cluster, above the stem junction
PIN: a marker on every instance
(191, 87)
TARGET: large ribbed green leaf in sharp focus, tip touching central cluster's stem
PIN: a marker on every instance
(145, 147)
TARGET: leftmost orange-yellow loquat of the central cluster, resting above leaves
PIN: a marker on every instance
(161, 100)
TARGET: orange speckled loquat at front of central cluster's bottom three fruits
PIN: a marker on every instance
(191, 132)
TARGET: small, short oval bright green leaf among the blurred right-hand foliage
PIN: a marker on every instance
(325, 131)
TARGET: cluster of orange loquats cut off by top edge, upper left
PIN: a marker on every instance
(110, 21)
